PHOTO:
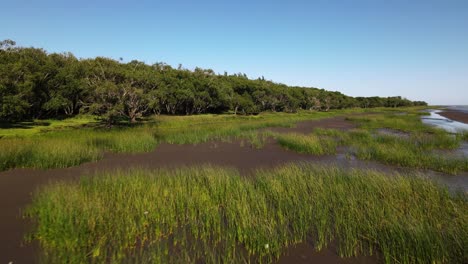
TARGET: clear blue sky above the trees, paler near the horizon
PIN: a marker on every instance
(416, 49)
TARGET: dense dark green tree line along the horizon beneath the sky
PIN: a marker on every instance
(36, 84)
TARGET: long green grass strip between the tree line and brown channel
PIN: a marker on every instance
(64, 146)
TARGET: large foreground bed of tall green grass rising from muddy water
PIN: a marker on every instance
(214, 215)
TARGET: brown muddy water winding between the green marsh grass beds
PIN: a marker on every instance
(17, 186)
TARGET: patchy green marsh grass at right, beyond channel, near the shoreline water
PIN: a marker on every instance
(419, 148)
